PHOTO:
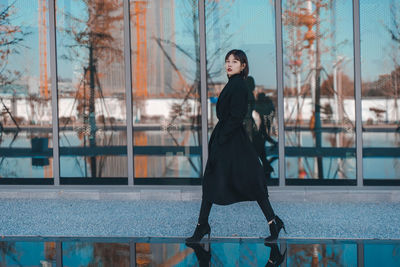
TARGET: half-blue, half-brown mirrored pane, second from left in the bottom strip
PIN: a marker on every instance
(95, 254)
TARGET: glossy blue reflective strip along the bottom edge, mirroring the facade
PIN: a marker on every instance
(28, 251)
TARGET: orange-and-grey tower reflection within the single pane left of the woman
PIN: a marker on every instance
(153, 36)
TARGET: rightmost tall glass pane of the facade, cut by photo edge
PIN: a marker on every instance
(380, 73)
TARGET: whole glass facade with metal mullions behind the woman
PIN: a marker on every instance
(325, 137)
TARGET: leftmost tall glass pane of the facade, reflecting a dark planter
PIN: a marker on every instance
(25, 91)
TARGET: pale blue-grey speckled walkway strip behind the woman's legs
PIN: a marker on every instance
(313, 219)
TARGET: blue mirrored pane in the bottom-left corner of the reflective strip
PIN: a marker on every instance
(27, 253)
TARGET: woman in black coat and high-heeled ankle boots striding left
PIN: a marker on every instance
(233, 171)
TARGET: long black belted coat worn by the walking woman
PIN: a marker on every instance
(233, 171)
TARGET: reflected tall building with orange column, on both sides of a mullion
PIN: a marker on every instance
(153, 27)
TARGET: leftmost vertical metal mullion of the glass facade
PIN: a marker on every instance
(54, 91)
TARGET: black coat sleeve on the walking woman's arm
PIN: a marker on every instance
(237, 113)
